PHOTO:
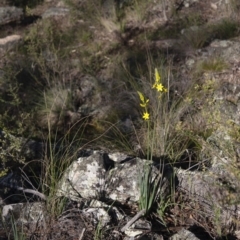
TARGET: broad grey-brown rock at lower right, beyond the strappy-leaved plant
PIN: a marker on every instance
(216, 196)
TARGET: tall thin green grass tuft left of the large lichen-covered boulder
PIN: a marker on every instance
(60, 156)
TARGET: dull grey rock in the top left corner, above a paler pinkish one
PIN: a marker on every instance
(10, 14)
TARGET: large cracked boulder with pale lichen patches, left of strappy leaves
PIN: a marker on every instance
(99, 177)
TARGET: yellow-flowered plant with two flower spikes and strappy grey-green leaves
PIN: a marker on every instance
(149, 184)
